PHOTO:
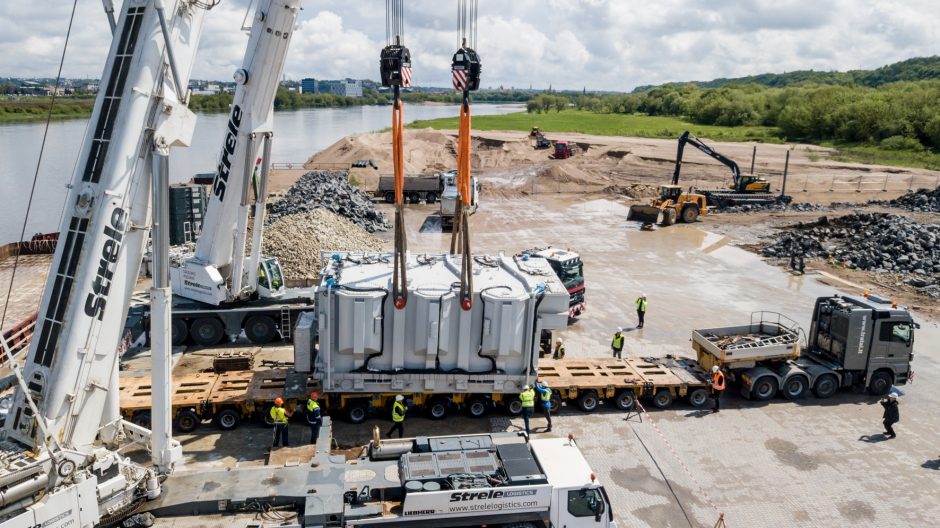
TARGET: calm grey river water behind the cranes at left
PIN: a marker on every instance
(297, 135)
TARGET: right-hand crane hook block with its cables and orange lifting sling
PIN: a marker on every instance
(465, 70)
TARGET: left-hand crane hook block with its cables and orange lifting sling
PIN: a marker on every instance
(395, 66)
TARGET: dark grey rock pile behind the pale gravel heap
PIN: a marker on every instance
(329, 190)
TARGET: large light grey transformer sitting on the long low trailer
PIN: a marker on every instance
(433, 345)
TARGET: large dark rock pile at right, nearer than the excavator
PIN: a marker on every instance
(867, 241)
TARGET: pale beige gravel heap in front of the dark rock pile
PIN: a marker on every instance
(297, 240)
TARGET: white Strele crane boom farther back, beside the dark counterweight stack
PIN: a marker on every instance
(219, 270)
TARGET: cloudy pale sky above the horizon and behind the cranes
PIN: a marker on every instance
(567, 44)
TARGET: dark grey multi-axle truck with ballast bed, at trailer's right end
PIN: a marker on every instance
(862, 342)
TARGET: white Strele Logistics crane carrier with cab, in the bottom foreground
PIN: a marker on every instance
(500, 480)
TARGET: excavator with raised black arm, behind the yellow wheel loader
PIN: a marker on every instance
(744, 189)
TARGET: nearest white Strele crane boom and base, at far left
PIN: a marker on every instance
(59, 459)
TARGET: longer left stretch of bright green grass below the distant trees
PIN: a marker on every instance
(607, 125)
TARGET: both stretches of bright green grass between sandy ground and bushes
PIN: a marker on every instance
(637, 125)
